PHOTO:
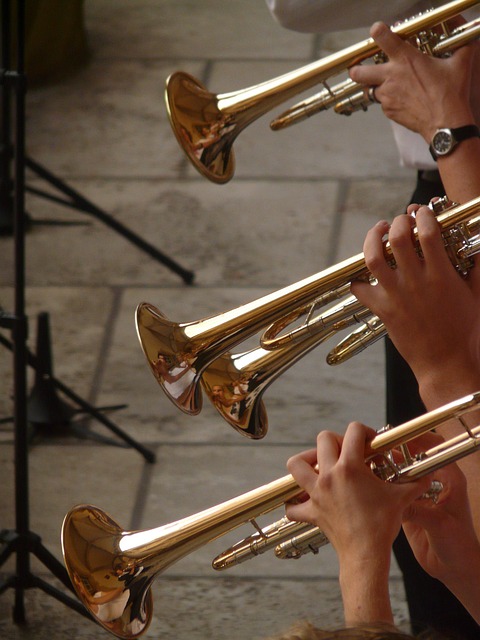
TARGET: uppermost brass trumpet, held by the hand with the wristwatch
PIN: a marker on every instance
(206, 124)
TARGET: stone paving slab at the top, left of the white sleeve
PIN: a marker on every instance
(192, 30)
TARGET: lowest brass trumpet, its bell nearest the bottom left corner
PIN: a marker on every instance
(112, 570)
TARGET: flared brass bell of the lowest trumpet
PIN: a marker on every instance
(113, 588)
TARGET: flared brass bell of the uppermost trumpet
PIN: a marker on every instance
(201, 129)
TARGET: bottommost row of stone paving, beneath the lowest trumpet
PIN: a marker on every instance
(198, 608)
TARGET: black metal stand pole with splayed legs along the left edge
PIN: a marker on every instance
(22, 542)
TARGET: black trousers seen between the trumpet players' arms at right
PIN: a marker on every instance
(430, 603)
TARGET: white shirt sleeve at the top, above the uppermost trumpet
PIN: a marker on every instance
(322, 16)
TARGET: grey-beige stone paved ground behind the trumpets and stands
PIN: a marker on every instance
(301, 200)
